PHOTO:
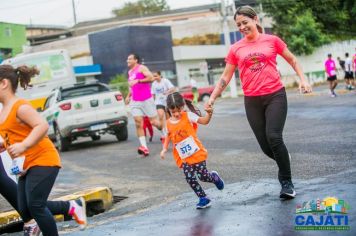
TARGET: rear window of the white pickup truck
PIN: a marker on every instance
(82, 91)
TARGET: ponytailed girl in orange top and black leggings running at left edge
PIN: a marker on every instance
(24, 134)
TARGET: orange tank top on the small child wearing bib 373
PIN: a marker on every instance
(183, 129)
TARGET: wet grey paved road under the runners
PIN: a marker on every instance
(319, 133)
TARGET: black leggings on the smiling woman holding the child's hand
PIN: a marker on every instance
(267, 115)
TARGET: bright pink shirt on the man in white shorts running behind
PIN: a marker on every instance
(140, 91)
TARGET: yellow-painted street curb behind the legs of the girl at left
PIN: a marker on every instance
(97, 199)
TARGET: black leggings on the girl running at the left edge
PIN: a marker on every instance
(33, 191)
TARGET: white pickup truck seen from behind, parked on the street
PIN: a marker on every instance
(83, 110)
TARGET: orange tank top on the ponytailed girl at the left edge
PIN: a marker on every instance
(43, 153)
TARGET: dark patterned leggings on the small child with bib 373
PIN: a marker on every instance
(202, 173)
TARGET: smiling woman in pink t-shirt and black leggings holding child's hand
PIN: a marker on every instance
(265, 97)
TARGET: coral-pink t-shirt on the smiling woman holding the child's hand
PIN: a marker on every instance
(257, 64)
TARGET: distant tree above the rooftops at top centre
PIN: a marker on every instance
(141, 7)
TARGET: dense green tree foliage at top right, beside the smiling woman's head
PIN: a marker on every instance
(307, 24)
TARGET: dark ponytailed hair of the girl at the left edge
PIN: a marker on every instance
(21, 74)
